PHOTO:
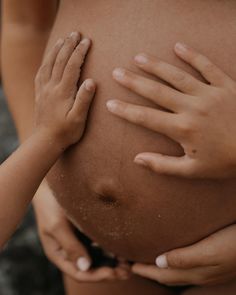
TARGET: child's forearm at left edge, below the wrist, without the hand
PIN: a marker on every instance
(20, 177)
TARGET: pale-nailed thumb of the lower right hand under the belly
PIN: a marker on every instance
(185, 258)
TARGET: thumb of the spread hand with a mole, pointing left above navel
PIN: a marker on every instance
(162, 164)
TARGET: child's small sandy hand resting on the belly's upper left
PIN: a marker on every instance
(61, 109)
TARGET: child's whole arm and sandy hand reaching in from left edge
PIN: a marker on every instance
(60, 116)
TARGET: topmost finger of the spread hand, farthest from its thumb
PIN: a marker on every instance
(201, 63)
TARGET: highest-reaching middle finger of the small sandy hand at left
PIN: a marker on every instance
(64, 55)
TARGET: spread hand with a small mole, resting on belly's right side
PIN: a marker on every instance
(200, 116)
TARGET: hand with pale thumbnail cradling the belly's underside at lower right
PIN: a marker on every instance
(209, 262)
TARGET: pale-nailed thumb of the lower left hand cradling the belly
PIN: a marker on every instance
(74, 249)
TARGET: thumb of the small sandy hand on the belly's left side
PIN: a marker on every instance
(83, 100)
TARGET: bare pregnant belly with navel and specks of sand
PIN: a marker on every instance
(127, 209)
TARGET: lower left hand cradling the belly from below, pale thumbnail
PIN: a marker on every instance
(61, 244)
